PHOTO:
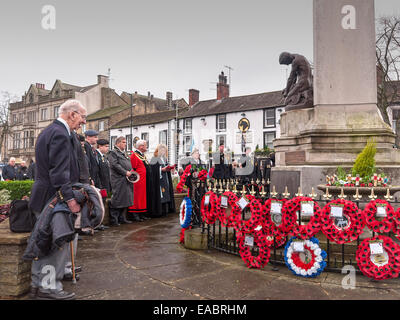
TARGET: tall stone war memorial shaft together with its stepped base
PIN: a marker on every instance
(315, 141)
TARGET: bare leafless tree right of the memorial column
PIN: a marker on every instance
(388, 63)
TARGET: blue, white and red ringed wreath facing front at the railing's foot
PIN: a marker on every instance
(310, 262)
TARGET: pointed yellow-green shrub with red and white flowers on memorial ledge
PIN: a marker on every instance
(363, 174)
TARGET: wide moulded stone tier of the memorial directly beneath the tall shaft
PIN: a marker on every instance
(333, 136)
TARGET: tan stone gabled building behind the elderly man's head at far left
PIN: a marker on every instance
(39, 107)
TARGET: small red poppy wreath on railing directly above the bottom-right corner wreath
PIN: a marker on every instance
(373, 223)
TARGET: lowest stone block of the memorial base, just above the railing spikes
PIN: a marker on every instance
(307, 177)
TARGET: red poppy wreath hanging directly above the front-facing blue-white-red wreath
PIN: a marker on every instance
(290, 219)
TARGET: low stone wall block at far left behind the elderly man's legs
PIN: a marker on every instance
(15, 273)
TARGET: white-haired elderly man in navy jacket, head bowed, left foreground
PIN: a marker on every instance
(57, 169)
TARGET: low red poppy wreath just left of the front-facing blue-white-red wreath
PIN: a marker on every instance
(245, 251)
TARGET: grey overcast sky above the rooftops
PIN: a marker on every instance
(157, 45)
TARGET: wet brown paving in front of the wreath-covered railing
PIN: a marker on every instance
(144, 261)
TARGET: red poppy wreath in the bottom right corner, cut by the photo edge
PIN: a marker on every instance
(385, 265)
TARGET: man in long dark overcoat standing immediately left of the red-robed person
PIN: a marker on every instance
(122, 190)
